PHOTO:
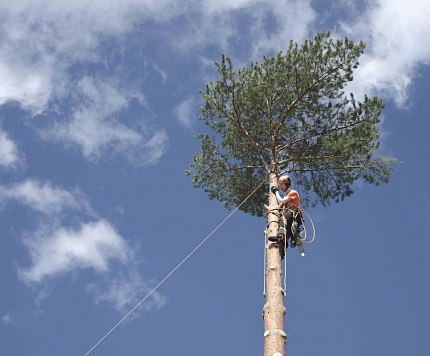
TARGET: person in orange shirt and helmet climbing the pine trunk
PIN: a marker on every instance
(292, 213)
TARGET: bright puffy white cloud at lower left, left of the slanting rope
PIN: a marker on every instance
(63, 250)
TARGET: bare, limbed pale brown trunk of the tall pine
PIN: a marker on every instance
(274, 310)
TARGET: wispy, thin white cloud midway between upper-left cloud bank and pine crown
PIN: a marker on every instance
(94, 128)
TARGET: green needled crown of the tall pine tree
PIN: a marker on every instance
(289, 113)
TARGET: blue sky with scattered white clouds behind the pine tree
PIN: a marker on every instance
(99, 104)
